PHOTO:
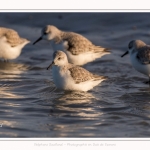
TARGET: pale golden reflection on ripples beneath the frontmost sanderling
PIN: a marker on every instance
(72, 103)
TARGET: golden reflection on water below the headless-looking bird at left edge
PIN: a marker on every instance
(10, 74)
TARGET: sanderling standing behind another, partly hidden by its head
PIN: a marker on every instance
(78, 49)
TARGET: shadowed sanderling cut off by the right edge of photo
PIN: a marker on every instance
(140, 56)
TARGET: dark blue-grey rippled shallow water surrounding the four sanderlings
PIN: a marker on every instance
(31, 106)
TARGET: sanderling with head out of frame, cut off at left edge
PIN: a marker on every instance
(11, 44)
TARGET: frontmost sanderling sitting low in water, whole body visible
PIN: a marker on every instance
(70, 77)
